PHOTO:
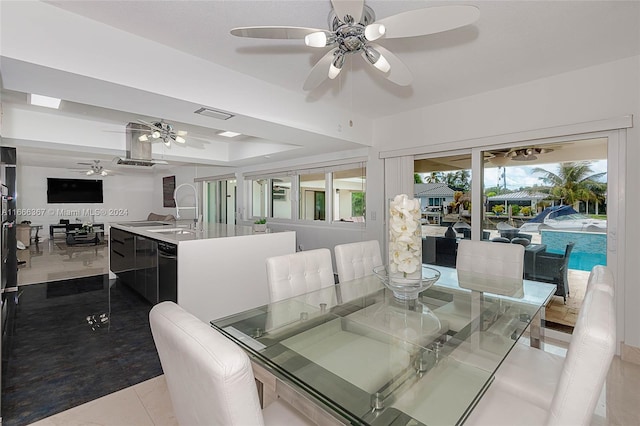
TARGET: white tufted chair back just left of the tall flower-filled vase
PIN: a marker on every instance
(357, 260)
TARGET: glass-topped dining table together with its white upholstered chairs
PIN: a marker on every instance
(349, 345)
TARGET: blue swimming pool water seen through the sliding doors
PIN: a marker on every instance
(590, 247)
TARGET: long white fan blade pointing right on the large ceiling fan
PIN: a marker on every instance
(430, 20)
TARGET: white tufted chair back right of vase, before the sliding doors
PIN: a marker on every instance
(493, 268)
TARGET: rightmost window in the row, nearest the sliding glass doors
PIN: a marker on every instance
(349, 194)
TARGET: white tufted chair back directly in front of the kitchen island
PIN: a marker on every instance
(298, 273)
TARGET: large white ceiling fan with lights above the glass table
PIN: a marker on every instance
(353, 28)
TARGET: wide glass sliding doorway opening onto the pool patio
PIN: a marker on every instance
(517, 183)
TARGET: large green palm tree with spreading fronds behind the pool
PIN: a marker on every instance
(573, 181)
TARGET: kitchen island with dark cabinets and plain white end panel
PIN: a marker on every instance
(212, 272)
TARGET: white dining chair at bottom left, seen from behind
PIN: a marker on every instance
(209, 378)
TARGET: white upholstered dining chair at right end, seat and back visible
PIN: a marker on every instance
(535, 387)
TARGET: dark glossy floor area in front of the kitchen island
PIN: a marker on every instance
(74, 341)
